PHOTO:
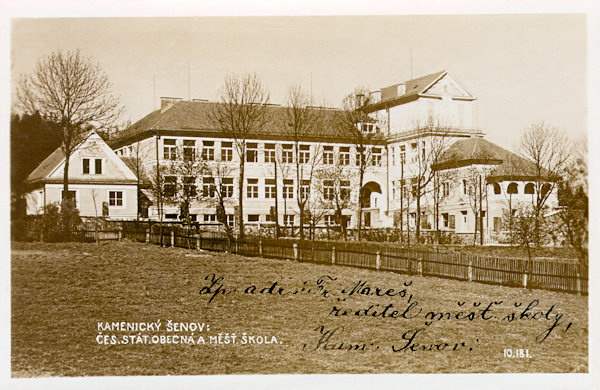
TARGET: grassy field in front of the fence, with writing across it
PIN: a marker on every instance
(63, 293)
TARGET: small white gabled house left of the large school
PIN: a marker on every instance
(99, 180)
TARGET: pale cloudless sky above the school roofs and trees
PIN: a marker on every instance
(523, 69)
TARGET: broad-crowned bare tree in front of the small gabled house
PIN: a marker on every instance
(68, 89)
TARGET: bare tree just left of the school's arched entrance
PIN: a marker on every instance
(363, 131)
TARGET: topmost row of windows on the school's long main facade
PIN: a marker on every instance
(252, 153)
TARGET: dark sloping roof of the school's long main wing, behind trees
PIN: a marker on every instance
(191, 118)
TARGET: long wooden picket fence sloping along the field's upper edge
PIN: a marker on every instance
(548, 274)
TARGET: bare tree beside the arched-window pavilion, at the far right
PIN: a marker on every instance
(548, 148)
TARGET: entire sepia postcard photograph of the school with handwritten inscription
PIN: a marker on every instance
(299, 194)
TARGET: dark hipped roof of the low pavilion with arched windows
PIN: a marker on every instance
(471, 151)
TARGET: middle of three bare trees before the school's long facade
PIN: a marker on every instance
(300, 121)
